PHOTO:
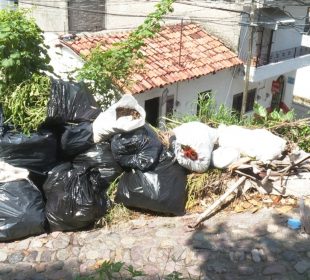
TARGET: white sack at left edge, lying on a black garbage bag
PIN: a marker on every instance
(9, 173)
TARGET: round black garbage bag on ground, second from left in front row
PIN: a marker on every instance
(76, 198)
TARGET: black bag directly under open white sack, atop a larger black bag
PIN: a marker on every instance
(138, 149)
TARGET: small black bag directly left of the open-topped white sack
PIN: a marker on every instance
(76, 138)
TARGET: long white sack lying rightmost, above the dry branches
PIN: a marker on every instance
(257, 143)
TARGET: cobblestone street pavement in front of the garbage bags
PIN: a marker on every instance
(234, 246)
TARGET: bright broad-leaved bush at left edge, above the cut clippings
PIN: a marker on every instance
(22, 49)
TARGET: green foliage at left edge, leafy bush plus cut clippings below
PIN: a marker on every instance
(24, 89)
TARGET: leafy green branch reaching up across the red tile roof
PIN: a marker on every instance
(109, 71)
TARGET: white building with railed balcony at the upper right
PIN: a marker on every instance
(279, 49)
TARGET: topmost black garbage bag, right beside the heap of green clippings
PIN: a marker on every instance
(71, 102)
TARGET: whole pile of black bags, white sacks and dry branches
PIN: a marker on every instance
(58, 177)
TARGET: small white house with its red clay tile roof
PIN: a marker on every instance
(182, 64)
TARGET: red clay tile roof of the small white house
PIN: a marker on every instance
(201, 54)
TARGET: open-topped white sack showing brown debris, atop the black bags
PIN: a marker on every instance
(106, 124)
